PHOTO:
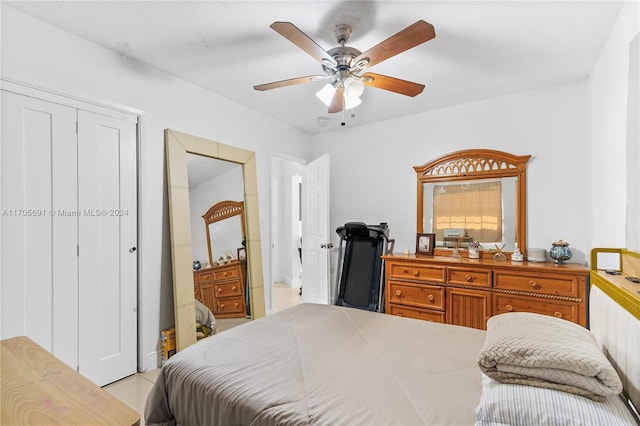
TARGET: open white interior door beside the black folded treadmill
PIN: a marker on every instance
(316, 244)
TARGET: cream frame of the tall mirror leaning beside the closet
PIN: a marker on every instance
(177, 146)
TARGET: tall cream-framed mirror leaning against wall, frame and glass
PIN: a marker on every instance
(190, 242)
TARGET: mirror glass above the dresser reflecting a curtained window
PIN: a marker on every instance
(474, 210)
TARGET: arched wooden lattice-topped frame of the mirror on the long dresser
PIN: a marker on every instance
(473, 164)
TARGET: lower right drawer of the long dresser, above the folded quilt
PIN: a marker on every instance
(560, 309)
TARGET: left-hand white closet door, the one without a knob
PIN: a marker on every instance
(38, 278)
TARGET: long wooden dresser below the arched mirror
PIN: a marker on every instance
(467, 292)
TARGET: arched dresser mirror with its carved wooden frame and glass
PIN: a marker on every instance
(475, 195)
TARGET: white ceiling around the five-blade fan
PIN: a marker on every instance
(482, 49)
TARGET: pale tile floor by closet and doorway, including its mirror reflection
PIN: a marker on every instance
(133, 390)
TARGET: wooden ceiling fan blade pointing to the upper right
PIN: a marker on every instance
(410, 37)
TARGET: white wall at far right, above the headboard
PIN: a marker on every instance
(608, 89)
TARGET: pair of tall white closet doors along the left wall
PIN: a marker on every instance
(68, 257)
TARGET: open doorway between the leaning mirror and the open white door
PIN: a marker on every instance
(286, 232)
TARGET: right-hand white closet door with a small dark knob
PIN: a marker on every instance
(107, 247)
